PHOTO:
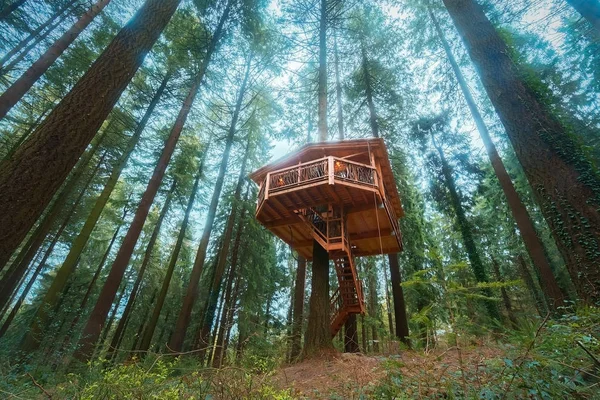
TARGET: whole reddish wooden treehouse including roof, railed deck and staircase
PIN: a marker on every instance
(341, 195)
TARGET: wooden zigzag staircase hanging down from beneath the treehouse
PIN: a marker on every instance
(328, 228)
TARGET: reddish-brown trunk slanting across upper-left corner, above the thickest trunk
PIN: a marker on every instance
(17, 90)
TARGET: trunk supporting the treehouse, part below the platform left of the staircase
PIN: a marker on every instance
(317, 339)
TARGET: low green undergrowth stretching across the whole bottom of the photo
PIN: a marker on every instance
(542, 359)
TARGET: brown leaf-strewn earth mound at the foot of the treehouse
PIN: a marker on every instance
(354, 376)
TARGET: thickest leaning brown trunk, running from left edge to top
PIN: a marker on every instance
(30, 178)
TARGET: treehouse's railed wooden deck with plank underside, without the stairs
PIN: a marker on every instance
(372, 221)
